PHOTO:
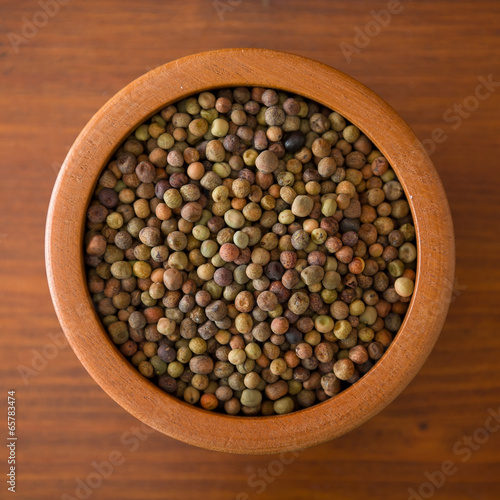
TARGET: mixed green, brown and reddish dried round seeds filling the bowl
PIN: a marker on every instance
(250, 251)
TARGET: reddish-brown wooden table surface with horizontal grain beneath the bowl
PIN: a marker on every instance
(429, 60)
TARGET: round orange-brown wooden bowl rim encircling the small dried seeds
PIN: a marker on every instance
(167, 414)
